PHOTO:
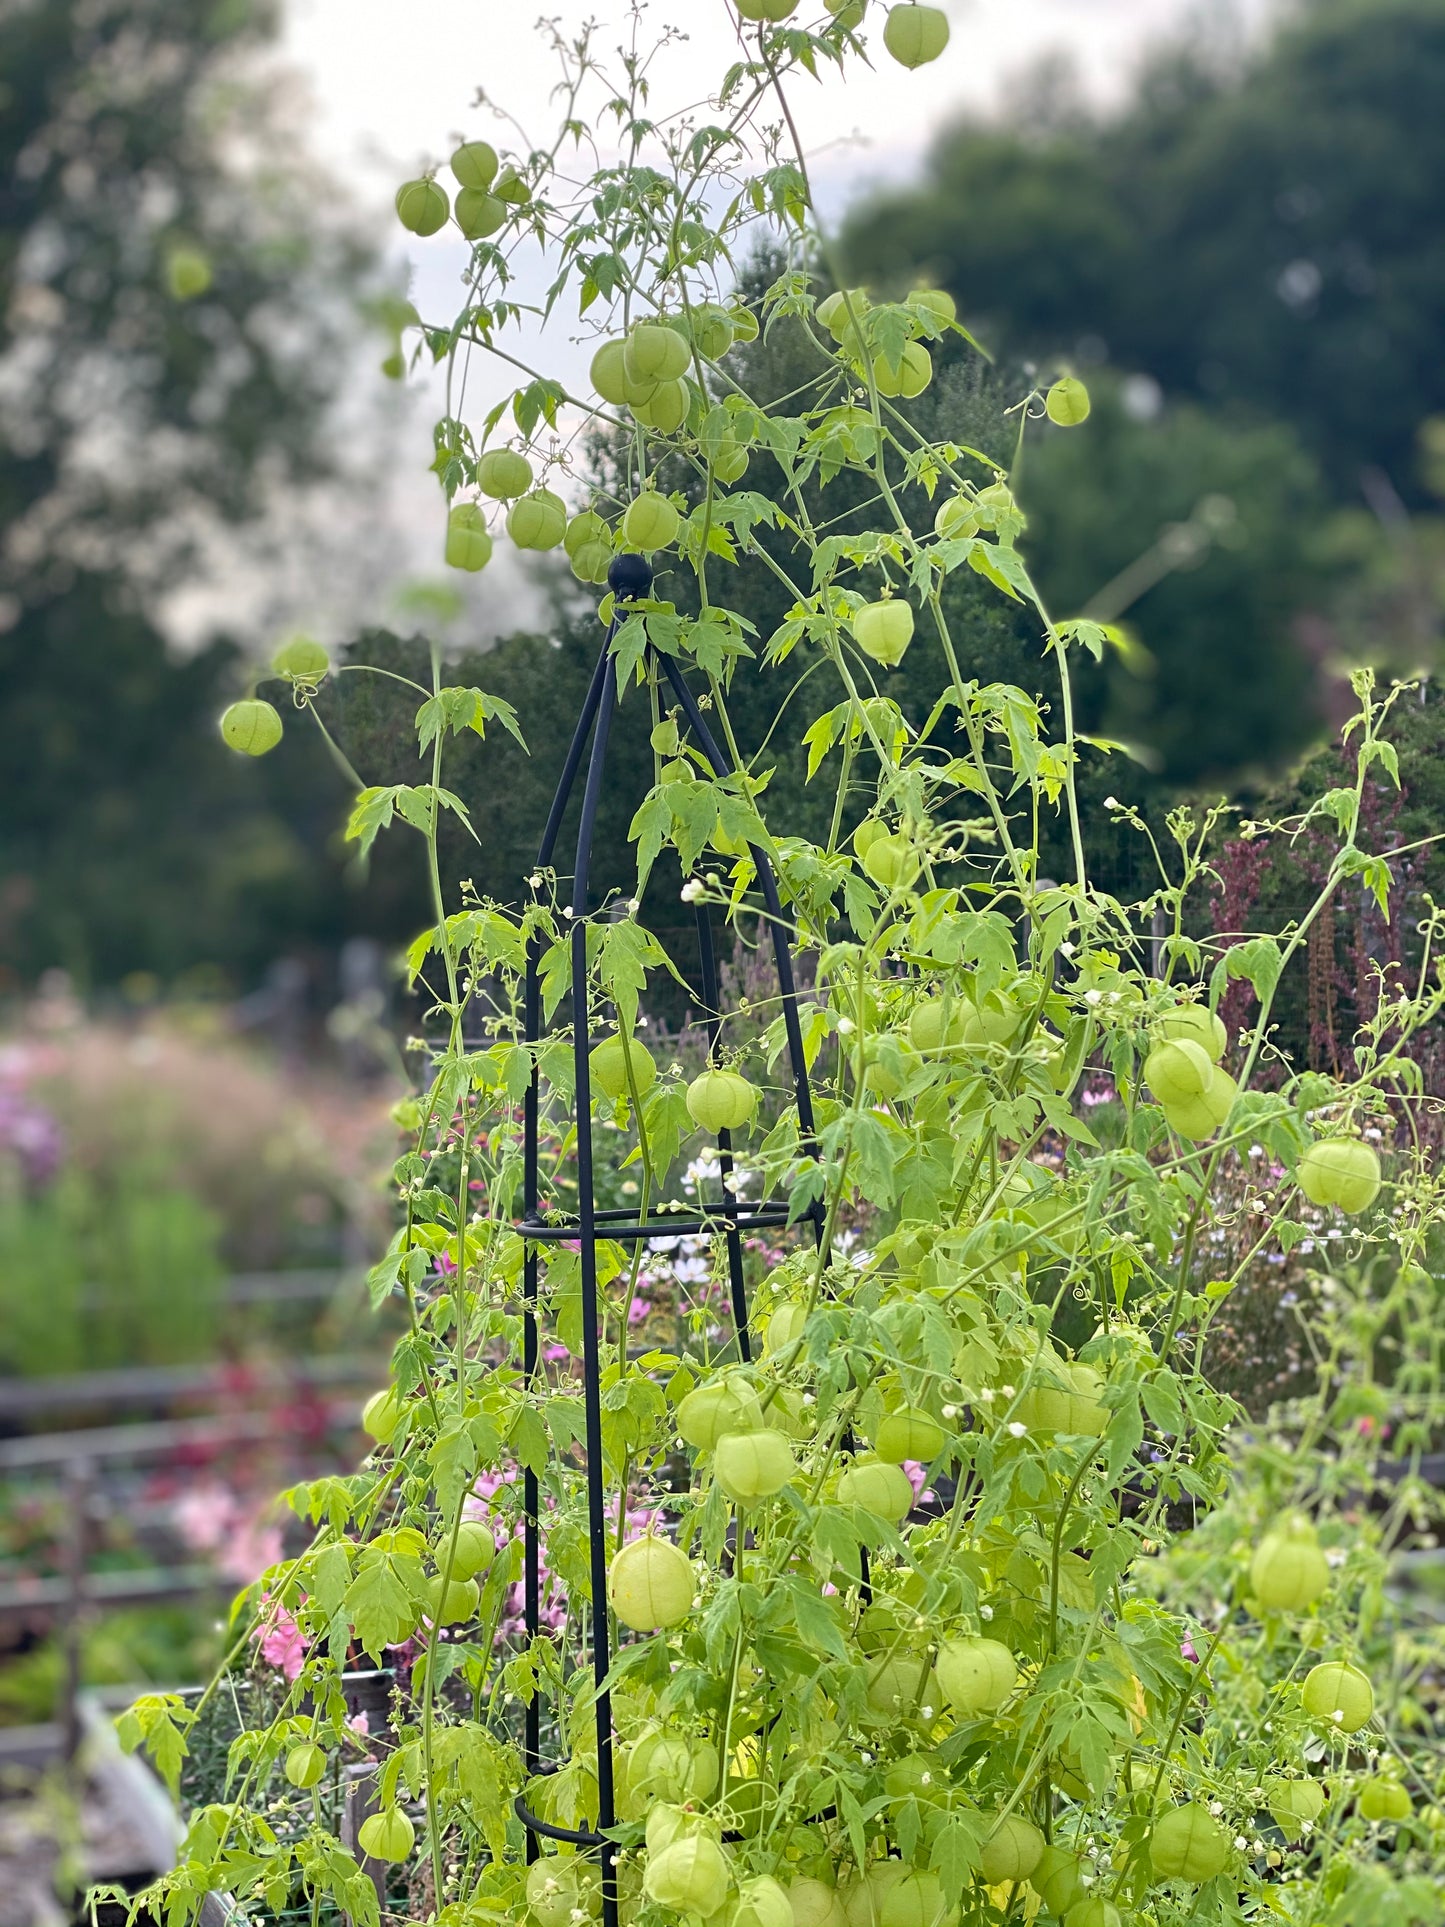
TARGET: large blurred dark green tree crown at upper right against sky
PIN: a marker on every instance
(1263, 232)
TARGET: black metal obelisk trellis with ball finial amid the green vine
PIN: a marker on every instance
(729, 1217)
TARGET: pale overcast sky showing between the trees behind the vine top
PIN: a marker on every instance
(394, 82)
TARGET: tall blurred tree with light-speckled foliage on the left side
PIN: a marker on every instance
(176, 300)
